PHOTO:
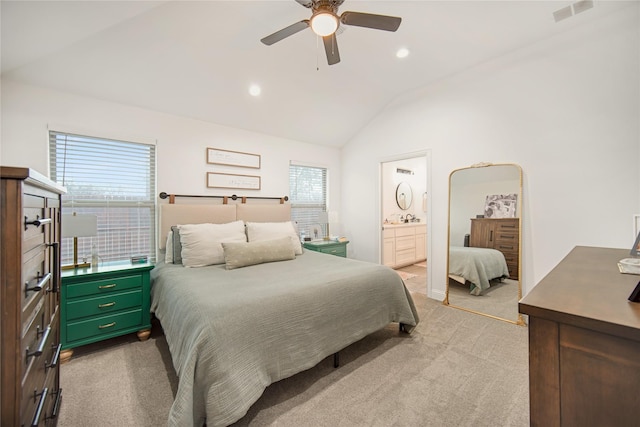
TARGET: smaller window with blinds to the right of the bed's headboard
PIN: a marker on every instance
(308, 193)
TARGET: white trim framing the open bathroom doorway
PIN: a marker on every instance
(404, 156)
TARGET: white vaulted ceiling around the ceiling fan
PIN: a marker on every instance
(197, 58)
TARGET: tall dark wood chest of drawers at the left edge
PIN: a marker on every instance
(30, 317)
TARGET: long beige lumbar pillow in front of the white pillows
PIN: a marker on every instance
(238, 255)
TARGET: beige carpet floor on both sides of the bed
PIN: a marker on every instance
(455, 369)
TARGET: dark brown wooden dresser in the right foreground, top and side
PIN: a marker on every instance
(584, 342)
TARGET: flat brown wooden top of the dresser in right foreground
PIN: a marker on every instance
(587, 290)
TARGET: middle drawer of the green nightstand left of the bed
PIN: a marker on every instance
(103, 304)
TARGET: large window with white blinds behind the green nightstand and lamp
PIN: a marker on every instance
(114, 180)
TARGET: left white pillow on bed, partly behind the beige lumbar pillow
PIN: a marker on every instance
(202, 243)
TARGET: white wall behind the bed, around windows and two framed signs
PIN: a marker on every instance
(181, 143)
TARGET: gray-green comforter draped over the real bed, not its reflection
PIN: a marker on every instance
(231, 333)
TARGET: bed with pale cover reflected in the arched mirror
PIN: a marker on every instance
(477, 267)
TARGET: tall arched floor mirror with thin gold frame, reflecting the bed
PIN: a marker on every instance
(484, 268)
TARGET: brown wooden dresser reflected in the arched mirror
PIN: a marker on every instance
(502, 234)
